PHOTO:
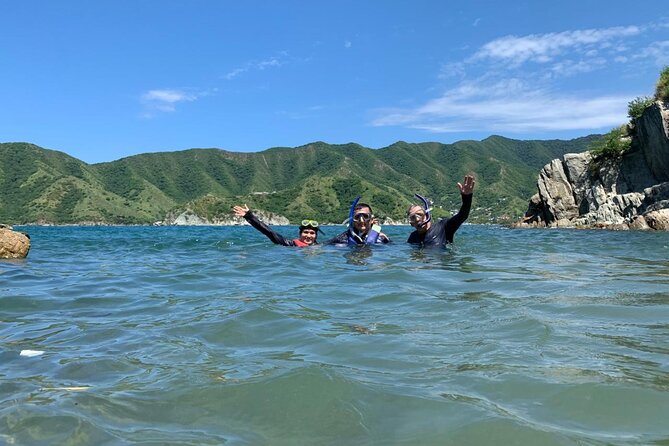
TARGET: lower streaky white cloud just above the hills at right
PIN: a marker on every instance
(508, 106)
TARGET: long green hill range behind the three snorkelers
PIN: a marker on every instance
(317, 180)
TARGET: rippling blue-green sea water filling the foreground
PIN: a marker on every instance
(211, 335)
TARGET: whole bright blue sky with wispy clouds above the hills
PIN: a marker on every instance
(101, 80)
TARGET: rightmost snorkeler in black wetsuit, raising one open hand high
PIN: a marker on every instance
(430, 233)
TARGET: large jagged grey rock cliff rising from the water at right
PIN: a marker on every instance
(629, 193)
